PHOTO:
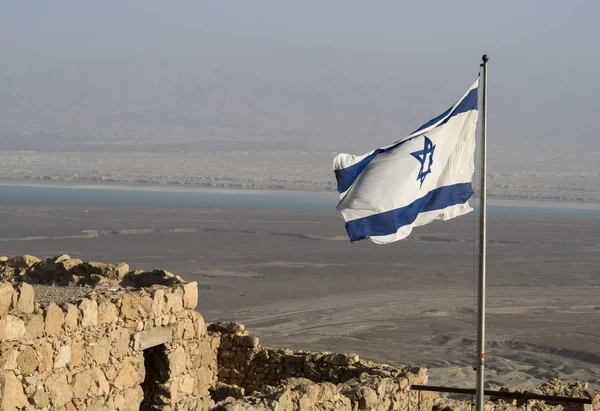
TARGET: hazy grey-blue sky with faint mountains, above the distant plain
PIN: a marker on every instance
(339, 76)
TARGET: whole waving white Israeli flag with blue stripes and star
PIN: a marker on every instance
(420, 178)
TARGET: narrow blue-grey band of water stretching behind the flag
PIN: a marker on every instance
(248, 200)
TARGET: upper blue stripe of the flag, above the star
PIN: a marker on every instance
(346, 176)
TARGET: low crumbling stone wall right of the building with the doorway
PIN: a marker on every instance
(259, 379)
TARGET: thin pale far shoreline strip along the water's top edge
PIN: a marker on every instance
(164, 188)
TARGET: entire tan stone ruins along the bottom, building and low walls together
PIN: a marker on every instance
(132, 340)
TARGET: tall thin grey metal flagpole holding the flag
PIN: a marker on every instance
(479, 389)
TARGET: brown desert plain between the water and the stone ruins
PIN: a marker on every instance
(296, 281)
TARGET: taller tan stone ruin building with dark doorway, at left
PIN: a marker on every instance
(88, 354)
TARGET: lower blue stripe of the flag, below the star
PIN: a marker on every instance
(390, 221)
